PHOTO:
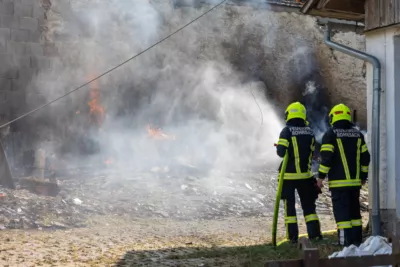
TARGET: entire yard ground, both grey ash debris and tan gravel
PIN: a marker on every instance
(146, 218)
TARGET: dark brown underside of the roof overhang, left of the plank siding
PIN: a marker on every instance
(352, 10)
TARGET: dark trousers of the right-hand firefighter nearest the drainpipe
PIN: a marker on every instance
(346, 209)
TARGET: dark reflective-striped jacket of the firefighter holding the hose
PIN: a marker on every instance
(298, 140)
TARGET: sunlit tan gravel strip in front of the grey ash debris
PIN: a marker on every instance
(141, 242)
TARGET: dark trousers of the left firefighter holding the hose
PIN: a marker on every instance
(308, 195)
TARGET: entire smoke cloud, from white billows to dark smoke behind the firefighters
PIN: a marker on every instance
(203, 101)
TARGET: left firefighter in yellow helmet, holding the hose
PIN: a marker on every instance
(297, 139)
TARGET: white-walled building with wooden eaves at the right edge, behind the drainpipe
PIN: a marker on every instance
(381, 20)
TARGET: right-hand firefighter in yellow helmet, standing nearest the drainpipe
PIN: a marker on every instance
(344, 160)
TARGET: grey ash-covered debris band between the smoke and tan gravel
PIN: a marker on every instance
(178, 193)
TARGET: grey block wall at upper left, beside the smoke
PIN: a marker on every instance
(23, 52)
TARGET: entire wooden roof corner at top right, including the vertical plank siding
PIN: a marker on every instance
(373, 13)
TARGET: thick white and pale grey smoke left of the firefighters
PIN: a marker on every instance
(185, 85)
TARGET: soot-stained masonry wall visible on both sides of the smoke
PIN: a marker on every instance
(25, 50)
